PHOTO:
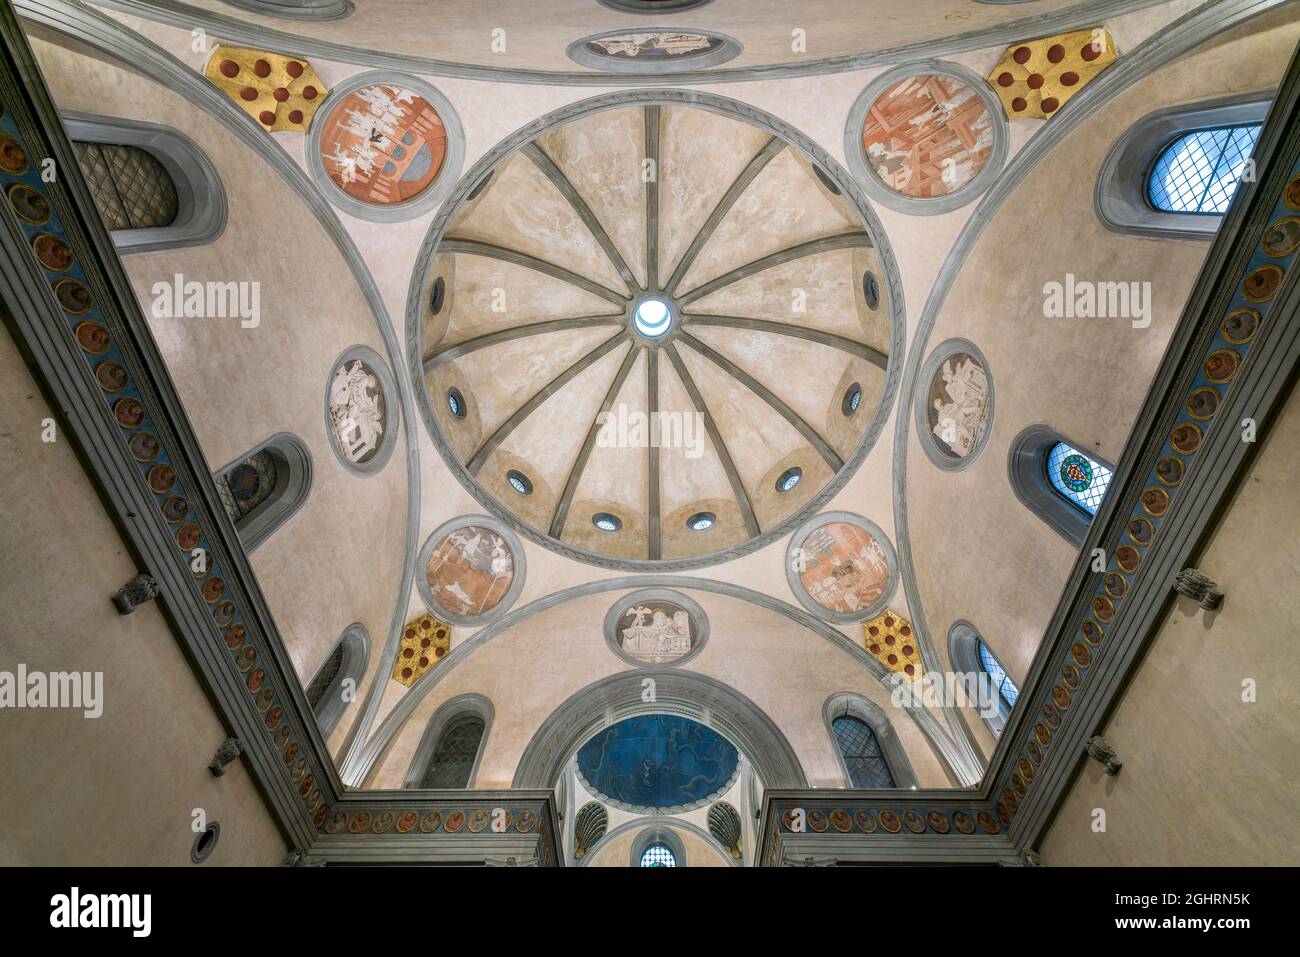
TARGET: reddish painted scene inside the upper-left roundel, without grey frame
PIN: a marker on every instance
(384, 145)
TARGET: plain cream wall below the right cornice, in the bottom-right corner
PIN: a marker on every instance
(1208, 730)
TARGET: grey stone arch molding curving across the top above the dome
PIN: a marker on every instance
(237, 31)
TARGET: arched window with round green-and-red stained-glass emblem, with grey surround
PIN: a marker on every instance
(1058, 482)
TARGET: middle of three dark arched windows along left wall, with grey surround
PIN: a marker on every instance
(265, 487)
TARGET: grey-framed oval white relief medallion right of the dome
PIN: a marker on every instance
(957, 405)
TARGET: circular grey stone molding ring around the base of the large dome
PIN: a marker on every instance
(435, 244)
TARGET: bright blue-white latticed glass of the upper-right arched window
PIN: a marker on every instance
(1201, 171)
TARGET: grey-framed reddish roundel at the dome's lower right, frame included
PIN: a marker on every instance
(842, 568)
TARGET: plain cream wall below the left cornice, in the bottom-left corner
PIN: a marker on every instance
(120, 789)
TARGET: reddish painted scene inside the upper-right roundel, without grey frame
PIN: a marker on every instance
(928, 136)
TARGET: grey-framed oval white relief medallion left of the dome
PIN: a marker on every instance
(358, 406)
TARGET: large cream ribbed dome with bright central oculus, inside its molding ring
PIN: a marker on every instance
(656, 334)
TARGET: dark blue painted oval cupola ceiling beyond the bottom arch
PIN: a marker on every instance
(657, 763)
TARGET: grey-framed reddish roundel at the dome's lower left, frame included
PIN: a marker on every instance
(470, 571)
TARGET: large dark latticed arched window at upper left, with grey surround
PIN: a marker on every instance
(153, 187)
